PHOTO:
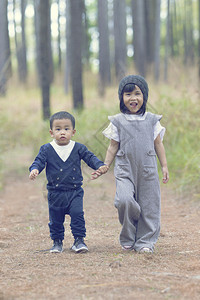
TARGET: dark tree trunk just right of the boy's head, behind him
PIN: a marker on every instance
(76, 31)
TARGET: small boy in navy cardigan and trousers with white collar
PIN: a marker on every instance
(62, 159)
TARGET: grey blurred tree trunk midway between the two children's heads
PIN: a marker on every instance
(104, 48)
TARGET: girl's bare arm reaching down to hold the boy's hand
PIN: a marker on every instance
(110, 155)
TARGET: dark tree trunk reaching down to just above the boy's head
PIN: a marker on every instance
(44, 55)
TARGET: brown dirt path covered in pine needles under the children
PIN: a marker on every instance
(106, 272)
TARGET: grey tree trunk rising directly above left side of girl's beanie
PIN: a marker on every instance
(120, 38)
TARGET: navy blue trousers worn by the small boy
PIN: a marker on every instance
(63, 203)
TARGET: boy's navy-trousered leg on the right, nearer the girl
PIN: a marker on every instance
(77, 215)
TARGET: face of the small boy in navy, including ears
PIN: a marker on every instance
(62, 131)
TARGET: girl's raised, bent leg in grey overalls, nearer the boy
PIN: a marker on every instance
(128, 210)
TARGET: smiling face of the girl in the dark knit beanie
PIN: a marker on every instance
(133, 100)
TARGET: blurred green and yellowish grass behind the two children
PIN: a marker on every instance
(23, 131)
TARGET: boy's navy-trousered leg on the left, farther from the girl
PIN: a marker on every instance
(56, 215)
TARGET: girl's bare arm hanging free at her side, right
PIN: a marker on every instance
(160, 151)
